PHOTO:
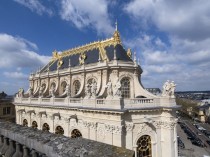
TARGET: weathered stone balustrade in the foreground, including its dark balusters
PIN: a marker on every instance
(19, 141)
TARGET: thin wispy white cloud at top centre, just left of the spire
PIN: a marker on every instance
(87, 13)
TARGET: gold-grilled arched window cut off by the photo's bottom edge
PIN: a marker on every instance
(144, 148)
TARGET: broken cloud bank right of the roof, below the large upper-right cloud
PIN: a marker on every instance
(184, 61)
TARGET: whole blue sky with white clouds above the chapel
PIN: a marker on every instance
(171, 38)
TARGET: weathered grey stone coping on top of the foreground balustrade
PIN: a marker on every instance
(60, 146)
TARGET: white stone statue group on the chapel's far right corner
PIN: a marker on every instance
(169, 89)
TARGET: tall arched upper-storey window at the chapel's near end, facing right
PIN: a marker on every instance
(125, 87)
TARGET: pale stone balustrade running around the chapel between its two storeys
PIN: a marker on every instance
(118, 103)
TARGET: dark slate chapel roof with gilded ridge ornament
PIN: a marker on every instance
(92, 54)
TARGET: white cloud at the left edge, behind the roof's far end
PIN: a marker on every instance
(18, 57)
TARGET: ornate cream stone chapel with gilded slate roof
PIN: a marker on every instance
(95, 92)
